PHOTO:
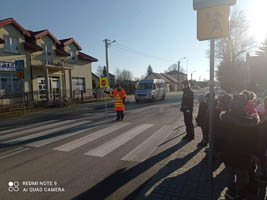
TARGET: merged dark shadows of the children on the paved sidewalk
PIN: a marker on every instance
(193, 184)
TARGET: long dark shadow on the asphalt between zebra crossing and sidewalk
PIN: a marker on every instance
(118, 179)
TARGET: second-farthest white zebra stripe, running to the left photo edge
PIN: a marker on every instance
(43, 133)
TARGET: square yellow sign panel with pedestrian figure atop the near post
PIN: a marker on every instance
(213, 23)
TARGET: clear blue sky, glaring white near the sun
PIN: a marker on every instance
(147, 32)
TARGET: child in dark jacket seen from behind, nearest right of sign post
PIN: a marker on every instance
(238, 131)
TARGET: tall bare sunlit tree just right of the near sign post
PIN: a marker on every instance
(231, 52)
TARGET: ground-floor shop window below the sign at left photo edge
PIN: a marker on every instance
(9, 84)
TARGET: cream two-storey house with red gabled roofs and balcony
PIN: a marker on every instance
(37, 63)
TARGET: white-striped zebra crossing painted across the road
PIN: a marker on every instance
(41, 135)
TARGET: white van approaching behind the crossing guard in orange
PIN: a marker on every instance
(153, 89)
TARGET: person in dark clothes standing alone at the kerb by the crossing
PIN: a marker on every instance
(187, 108)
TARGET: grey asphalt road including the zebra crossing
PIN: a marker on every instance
(78, 154)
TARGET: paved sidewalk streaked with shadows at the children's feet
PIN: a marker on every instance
(185, 176)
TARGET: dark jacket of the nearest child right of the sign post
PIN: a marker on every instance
(238, 133)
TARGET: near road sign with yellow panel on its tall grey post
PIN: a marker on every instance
(212, 23)
